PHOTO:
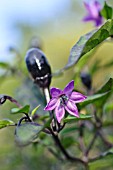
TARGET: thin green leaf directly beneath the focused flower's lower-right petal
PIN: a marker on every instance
(73, 118)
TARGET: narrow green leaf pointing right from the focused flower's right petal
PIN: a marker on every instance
(92, 99)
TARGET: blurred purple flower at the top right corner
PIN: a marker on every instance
(93, 8)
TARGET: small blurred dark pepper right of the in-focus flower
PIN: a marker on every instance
(86, 80)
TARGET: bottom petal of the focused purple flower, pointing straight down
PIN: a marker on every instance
(60, 112)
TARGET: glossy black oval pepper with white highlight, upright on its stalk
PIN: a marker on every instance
(38, 67)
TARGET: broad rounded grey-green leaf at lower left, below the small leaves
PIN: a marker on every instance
(27, 133)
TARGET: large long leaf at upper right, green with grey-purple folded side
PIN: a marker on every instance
(89, 41)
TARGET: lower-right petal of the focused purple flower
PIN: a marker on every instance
(72, 109)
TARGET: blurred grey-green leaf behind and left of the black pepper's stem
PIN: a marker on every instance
(30, 93)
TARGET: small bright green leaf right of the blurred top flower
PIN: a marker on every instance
(107, 11)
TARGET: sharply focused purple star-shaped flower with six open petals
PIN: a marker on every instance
(64, 100)
